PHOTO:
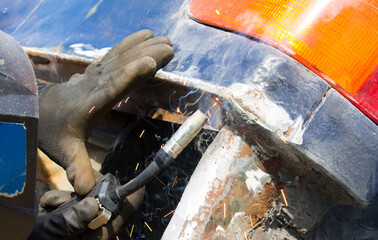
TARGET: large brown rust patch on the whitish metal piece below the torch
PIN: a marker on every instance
(228, 197)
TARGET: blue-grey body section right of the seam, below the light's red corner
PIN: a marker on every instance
(344, 142)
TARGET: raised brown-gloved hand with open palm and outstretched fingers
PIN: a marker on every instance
(69, 111)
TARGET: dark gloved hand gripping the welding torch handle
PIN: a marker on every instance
(72, 223)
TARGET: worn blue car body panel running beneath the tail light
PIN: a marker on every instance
(299, 106)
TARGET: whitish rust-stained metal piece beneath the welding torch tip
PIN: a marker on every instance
(227, 194)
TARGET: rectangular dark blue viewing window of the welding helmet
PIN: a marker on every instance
(12, 158)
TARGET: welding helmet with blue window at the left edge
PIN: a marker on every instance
(18, 141)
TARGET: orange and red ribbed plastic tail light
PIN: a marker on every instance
(337, 39)
